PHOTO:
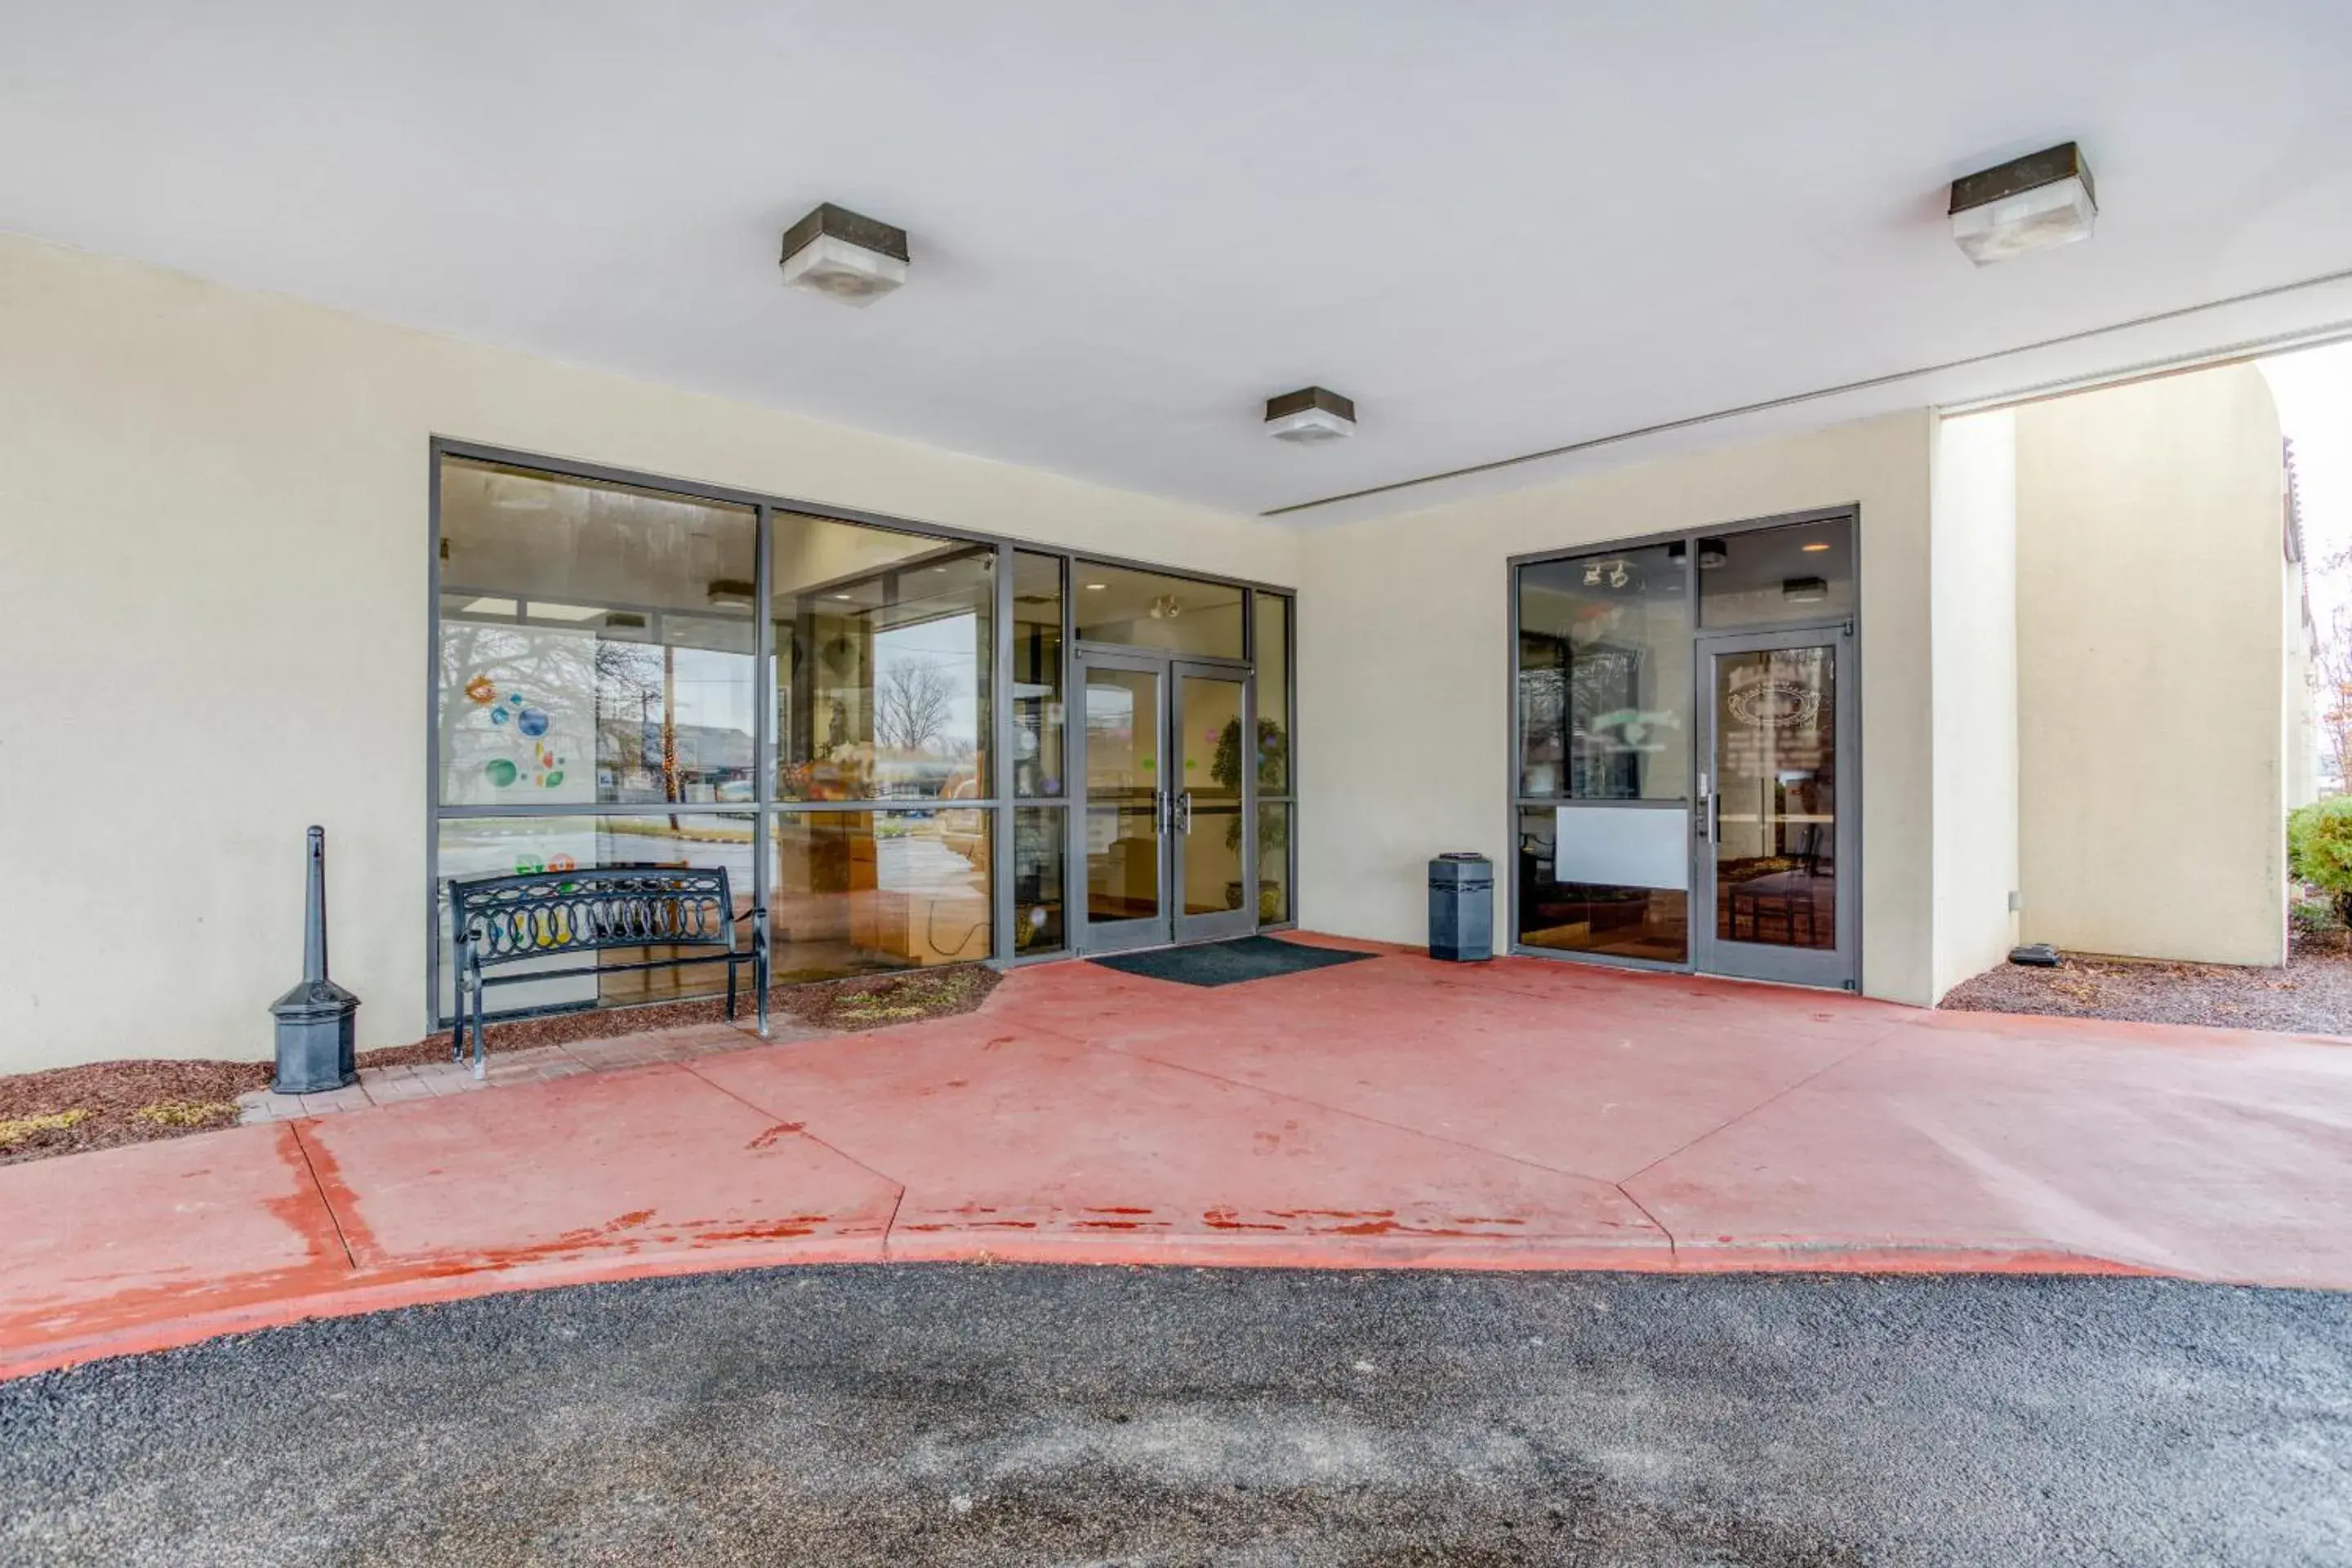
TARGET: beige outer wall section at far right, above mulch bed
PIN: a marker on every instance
(2151, 671)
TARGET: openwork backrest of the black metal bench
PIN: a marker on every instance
(620, 906)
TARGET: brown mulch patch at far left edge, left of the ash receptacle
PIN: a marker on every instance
(100, 1106)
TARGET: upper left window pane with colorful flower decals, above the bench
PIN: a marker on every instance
(596, 643)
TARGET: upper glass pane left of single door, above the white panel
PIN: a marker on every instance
(1605, 678)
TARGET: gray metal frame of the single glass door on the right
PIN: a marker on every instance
(1711, 951)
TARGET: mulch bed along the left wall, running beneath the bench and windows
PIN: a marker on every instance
(102, 1106)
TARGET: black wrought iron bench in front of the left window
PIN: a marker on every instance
(544, 916)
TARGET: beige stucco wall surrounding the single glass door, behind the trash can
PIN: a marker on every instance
(1405, 657)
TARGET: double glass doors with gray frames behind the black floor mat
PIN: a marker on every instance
(1165, 810)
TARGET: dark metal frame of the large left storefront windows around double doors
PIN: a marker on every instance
(766, 805)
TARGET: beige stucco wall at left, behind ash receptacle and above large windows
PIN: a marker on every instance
(213, 619)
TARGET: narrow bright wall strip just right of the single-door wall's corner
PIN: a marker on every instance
(1975, 617)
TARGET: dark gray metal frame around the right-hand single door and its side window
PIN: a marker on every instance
(1516, 800)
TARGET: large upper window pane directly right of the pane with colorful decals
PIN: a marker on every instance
(883, 650)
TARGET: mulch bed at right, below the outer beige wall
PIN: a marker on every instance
(2313, 996)
